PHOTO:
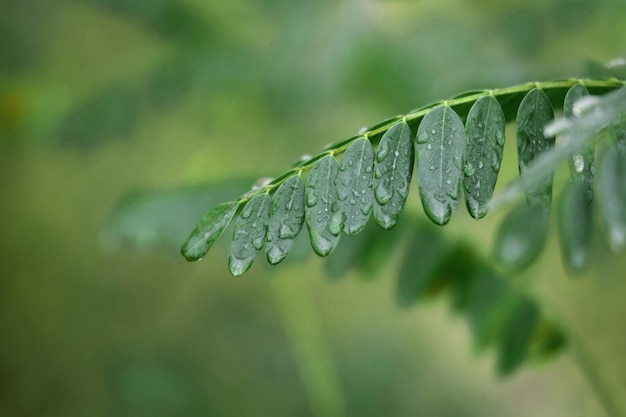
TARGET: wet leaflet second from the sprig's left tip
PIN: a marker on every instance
(249, 235)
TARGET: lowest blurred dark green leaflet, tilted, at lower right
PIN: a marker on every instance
(517, 336)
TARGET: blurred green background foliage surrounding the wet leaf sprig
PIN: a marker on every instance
(157, 109)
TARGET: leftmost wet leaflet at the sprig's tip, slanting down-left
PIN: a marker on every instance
(208, 231)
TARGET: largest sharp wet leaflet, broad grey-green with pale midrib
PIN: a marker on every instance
(440, 148)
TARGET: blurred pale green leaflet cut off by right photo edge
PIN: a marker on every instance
(611, 191)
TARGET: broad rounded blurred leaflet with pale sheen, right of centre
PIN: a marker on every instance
(521, 236)
